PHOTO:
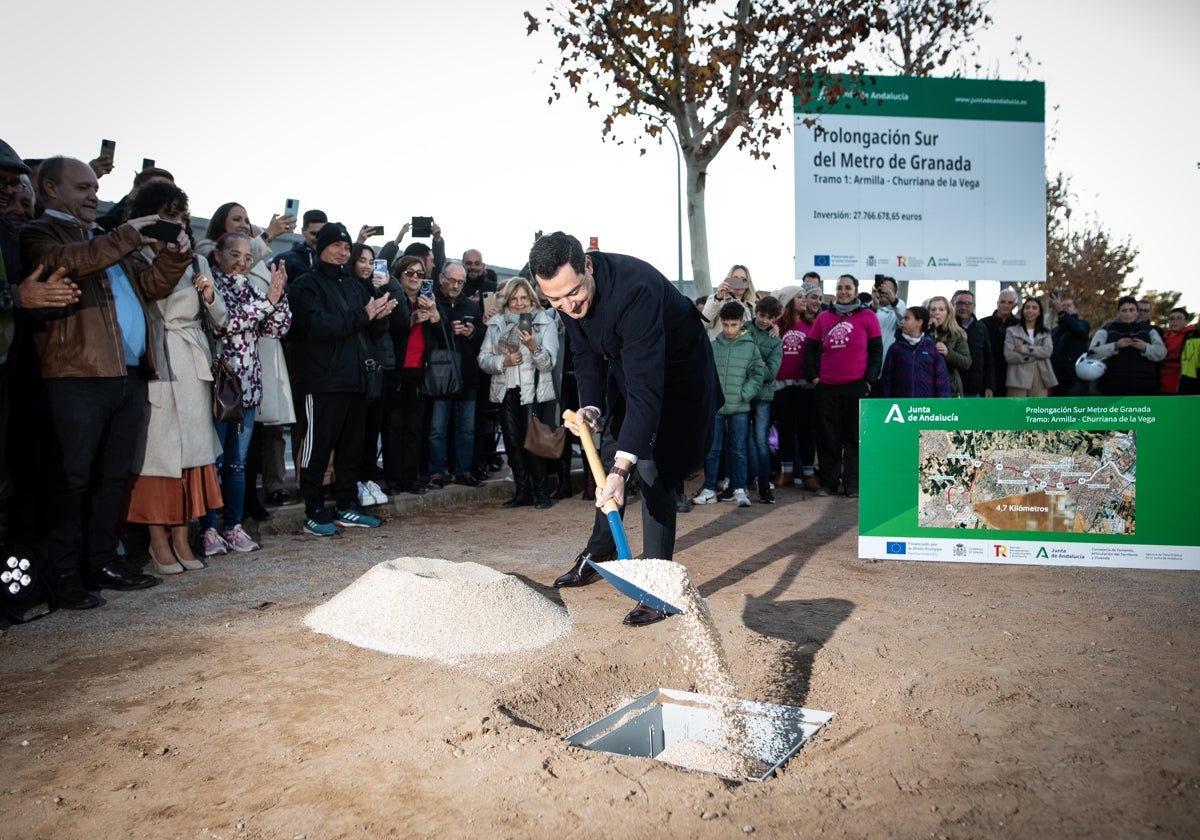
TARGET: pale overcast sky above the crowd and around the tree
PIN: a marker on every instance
(377, 112)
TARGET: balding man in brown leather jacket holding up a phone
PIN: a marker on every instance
(95, 364)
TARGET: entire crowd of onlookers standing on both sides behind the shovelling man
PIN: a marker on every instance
(115, 327)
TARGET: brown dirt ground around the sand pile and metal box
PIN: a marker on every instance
(970, 700)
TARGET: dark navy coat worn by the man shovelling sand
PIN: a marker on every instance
(652, 340)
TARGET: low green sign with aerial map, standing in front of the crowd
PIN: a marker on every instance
(1045, 482)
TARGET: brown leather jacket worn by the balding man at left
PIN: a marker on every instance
(83, 340)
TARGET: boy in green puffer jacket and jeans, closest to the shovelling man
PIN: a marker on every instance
(741, 371)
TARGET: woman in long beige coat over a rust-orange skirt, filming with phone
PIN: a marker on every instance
(175, 472)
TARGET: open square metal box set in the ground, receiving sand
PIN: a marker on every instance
(731, 737)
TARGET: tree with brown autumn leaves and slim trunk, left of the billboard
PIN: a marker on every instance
(715, 70)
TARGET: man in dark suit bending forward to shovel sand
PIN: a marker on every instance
(626, 321)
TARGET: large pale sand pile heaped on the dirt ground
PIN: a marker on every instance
(433, 609)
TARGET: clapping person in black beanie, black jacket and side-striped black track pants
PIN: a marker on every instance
(334, 325)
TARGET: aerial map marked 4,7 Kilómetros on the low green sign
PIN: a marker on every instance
(1072, 482)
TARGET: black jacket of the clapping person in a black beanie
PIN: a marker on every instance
(331, 335)
